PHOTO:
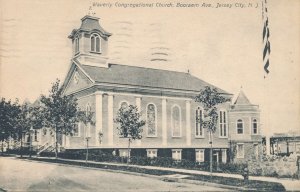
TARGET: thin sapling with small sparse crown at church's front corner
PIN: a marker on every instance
(86, 117)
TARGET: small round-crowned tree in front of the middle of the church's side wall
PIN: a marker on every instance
(129, 124)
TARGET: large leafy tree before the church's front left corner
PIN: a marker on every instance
(59, 112)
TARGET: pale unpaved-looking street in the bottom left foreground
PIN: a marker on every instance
(22, 175)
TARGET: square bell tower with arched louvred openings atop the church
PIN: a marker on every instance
(90, 43)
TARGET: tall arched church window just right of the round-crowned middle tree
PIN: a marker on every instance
(151, 120)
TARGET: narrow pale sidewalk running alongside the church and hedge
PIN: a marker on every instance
(289, 184)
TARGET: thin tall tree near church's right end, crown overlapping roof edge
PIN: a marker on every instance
(210, 98)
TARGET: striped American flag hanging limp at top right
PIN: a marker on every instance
(266, 35)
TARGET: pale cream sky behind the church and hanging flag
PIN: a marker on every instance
(222, 46)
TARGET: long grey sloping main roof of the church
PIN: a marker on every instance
(146, 77)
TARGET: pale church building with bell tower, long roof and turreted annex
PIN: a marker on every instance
(165, 100)
